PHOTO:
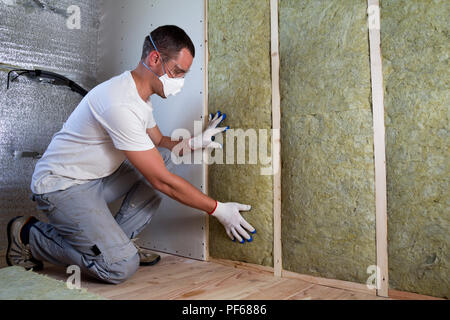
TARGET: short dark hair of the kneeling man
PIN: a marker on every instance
(169, 41)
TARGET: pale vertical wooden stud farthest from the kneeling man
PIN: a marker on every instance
(379, 147)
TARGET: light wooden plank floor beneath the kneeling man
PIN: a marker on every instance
(180, 278)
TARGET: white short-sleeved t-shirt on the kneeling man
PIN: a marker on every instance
(110, 118)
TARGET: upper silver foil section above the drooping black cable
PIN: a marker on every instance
(34, 34)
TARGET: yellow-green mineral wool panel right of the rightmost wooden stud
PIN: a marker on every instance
(415, 47)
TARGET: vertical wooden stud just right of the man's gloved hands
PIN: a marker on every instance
(276, 142)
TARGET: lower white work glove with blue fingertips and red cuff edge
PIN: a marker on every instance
(228, 214)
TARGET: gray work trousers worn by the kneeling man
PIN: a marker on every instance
(83, 232)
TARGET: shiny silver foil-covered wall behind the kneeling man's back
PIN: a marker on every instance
(34, 34)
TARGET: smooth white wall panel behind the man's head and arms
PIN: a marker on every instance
(123, 26)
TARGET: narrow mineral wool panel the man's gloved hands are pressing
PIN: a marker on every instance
(240, 86)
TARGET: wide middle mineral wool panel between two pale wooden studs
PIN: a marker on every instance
(328, 208)
